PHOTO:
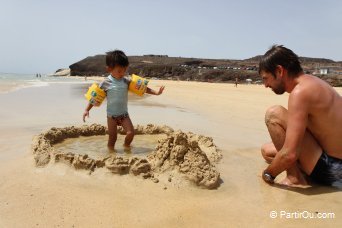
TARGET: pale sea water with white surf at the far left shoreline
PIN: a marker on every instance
(11, 82)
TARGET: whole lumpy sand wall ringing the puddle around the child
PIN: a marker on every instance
(190, 154)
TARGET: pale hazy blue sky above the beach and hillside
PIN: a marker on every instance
(41, 36)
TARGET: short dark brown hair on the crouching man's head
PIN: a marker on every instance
(280, 55)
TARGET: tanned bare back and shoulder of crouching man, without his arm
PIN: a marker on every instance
(324, 113)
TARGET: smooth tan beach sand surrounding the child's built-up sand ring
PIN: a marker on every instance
(59, 196)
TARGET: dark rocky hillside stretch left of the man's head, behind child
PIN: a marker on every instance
(164, 67)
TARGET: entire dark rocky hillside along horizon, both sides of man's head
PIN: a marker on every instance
(212, 70)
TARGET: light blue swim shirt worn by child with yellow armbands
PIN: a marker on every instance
(117, 95)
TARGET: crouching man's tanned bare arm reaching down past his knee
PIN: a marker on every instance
(296, 126)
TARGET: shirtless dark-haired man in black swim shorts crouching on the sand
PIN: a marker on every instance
(307, 136)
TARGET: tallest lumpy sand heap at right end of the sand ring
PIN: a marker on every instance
(182, 151)
